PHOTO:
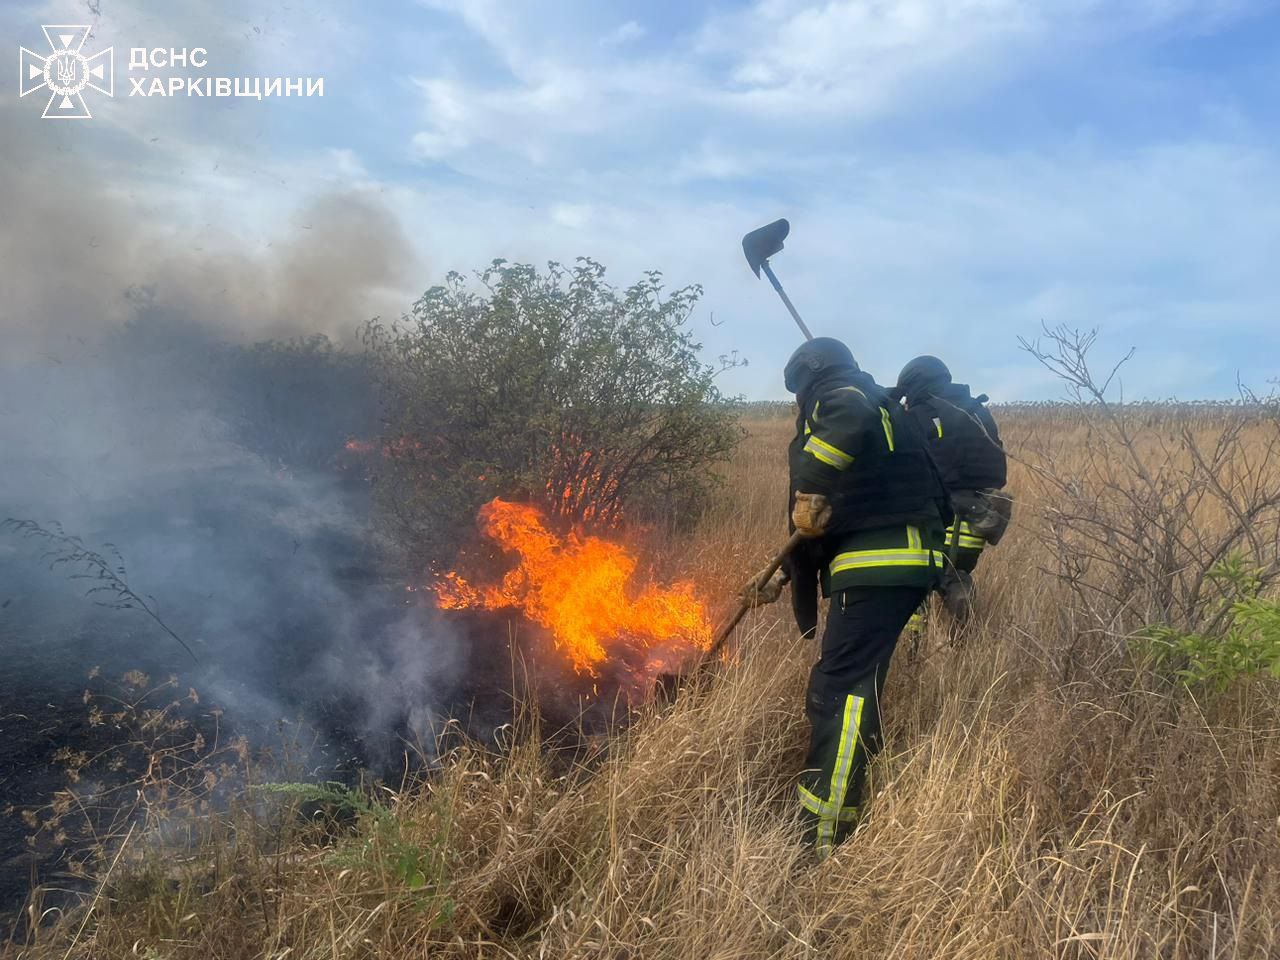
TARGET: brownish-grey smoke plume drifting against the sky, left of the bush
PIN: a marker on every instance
(77, 236)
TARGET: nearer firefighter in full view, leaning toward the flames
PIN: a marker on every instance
(872, 509)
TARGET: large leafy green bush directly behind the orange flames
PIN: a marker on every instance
(550, 387)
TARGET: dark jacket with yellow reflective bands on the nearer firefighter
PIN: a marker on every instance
(857, 447)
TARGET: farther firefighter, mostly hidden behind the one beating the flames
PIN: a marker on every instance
(966, 446)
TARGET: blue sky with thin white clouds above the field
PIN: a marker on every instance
(957, 172)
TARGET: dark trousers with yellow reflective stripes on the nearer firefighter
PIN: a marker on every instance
(843, 705)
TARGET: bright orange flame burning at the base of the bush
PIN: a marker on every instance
(577, 587)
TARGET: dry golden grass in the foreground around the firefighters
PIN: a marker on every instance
(1028, 804)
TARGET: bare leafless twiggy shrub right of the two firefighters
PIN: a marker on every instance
(1140, 510)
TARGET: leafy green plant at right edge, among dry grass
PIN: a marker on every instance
(1244, 641)
